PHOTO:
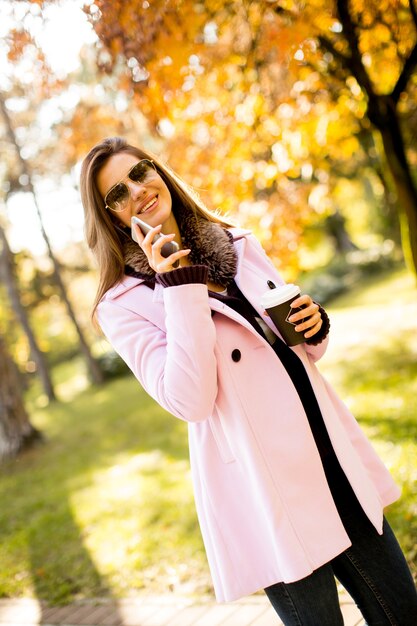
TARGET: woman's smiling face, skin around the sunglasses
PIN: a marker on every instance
(149, 200)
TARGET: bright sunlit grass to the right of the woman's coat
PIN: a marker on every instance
(372, 362)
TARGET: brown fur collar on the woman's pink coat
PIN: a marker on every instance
(210, 244)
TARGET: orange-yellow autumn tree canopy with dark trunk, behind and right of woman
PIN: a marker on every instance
(265, 101)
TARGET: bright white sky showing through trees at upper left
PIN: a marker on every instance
(60, 31)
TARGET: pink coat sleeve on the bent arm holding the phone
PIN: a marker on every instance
(177, 368)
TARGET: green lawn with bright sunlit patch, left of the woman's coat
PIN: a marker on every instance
(105, 507)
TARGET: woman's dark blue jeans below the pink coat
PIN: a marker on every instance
(374, 572)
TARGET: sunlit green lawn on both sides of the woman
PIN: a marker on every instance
(105, 507)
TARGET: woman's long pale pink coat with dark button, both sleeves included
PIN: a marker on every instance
(265, 510)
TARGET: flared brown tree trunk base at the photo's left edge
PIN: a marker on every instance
(16, 431)
